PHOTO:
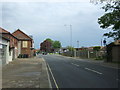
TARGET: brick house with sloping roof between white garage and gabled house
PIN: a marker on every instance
(13, 44)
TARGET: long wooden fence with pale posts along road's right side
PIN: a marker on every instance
(86, 54)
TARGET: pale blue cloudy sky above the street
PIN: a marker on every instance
(48, 19)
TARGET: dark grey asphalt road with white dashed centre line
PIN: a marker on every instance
(70, 73)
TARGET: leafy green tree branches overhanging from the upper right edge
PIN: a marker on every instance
(111, 19)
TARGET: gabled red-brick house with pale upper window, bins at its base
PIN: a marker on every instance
(25, 44)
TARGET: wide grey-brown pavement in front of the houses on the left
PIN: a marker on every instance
(25, 73)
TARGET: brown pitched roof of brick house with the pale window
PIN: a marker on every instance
(21, 35)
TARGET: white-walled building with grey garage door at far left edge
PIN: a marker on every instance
(4, 50)
